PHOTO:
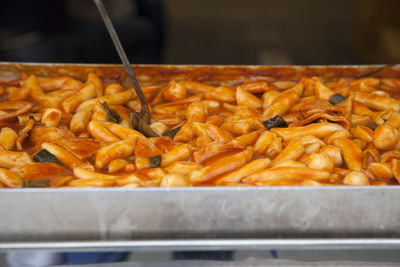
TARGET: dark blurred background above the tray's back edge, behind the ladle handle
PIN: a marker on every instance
(203, 32)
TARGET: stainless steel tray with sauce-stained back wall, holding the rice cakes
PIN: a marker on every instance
(204, 217)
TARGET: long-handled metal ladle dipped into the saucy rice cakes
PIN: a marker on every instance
(141, 118)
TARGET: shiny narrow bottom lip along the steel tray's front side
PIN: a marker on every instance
(209, 244)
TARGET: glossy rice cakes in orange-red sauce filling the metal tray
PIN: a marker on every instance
(221, 139)
